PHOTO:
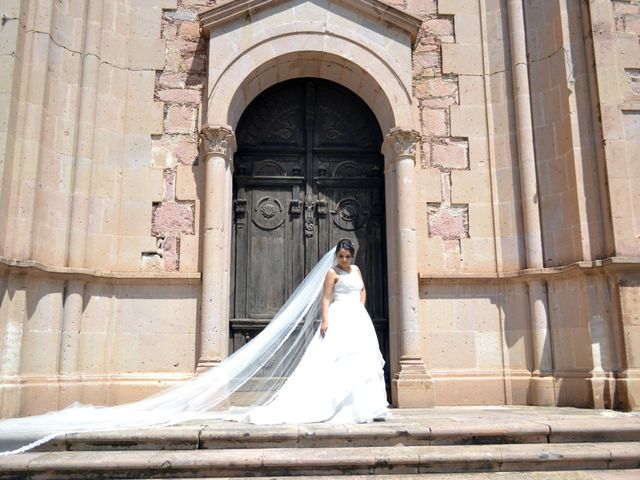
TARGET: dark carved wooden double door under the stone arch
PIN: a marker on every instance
(308, 172)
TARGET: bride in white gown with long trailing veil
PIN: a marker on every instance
(318, 360)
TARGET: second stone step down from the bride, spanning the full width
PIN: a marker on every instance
(323, 461)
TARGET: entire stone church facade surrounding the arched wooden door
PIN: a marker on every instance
(512, 180)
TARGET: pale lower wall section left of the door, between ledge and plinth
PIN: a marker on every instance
(51, 326)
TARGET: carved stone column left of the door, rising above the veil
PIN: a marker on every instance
(219, 145)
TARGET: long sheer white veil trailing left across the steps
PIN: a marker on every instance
(249, 378)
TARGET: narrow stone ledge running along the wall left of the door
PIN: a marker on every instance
(38, 268)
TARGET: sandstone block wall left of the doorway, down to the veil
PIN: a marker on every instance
(98, 163)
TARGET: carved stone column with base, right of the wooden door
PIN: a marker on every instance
(412, 385)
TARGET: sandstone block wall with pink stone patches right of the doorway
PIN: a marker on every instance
(471, 216)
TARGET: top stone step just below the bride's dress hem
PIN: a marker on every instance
(419, 432)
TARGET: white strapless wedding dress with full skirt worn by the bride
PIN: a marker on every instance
(340, 377)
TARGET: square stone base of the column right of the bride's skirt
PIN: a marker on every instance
(412, 386)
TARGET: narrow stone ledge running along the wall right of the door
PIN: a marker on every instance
(586, 267)
